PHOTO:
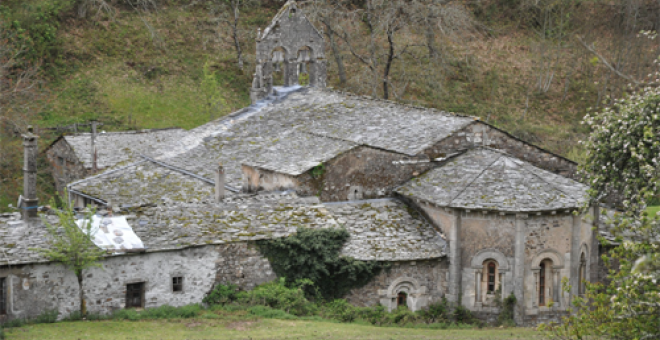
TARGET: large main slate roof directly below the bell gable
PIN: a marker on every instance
(296, 131)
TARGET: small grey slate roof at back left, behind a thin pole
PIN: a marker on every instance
(120, 147)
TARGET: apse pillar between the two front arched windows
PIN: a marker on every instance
(519, 269)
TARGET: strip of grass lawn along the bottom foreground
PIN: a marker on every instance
(249, 329)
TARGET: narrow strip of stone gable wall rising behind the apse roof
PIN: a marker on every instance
(482, 134)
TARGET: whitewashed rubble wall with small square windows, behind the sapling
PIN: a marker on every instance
(34, 289)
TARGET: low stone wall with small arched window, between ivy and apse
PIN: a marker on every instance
(424, 282)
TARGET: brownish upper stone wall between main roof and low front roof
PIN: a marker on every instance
(362, 173)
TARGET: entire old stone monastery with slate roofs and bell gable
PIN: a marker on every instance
(458, 207)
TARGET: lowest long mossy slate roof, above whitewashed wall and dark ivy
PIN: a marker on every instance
(379, 229)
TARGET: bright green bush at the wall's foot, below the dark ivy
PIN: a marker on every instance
(278, 295)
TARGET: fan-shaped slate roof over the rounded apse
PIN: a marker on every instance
(489, 179)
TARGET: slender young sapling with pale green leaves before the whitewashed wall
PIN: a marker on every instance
(72, 245)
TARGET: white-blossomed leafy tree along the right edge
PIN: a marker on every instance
(624, 158)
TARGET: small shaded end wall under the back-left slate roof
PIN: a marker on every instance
(65, 165)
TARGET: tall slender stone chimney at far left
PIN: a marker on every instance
(30, 201)
